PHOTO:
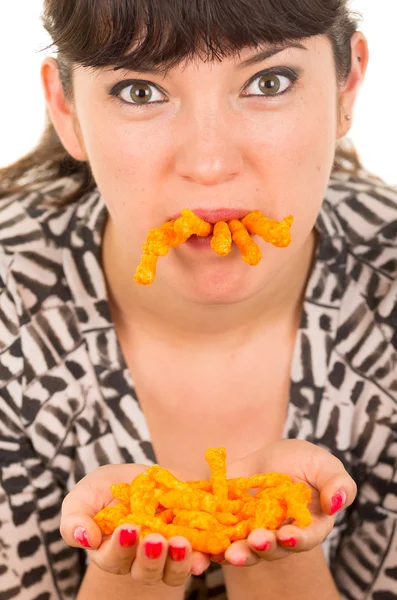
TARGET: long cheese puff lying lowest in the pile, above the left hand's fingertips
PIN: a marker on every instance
(203, 541)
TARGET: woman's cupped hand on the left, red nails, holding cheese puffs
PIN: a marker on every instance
(150, 561)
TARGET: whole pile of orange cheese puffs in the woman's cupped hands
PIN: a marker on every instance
(210, 514)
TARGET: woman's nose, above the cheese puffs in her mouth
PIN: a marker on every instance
(207, 154)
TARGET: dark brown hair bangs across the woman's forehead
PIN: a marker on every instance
(140, 35)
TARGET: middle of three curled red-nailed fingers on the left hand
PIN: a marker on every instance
(151, 556)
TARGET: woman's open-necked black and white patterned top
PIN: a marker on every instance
(68, 405)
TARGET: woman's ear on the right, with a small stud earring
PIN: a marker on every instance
(349, 92)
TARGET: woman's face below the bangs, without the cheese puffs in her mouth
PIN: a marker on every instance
(213, 136)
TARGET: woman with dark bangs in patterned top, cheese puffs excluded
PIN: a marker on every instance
(223, 108)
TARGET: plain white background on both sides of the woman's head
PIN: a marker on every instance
(374, 130)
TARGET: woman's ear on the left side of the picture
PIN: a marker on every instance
(61, 111)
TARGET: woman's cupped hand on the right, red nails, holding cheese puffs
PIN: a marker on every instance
(332, 489)
